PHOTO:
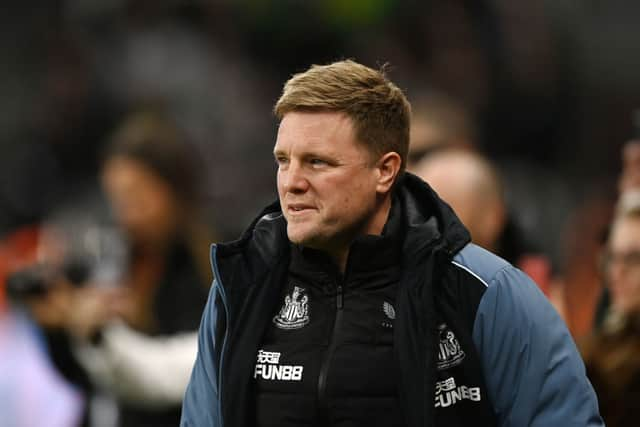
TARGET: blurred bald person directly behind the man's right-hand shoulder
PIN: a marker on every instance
(471, 185)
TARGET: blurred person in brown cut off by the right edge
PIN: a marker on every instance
(611, 352)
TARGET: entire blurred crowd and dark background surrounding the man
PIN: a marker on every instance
(136, 133)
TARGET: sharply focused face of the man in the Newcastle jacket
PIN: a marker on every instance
(327, 181)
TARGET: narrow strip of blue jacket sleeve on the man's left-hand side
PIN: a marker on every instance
(200, 405)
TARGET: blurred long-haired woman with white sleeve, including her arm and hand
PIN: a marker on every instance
(141, 347)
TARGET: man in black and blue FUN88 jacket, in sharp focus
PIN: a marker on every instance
(357, 300)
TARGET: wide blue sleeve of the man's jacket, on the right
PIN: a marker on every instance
(534, 373)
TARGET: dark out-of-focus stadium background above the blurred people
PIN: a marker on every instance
(549, 88)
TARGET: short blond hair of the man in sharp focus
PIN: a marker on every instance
(379, 111)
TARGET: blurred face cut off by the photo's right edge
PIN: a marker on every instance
(623, 265)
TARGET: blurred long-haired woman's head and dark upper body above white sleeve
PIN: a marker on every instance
(151, 180)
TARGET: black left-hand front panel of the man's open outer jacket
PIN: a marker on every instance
(261, 253)
